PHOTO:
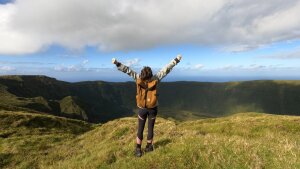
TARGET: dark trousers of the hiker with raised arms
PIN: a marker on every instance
(142, 116)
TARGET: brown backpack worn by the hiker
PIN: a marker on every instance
(146, 94)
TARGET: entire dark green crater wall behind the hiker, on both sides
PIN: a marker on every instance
(98, 101)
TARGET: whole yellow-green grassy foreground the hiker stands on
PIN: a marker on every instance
(244, 140)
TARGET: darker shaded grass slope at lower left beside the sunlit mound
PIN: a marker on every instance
(24, 137)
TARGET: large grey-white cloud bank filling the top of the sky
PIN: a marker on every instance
(27, 26)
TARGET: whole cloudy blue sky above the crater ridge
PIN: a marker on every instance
(219, 40)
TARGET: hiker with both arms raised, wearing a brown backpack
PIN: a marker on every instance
(146, 98)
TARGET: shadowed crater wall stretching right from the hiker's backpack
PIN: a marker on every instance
(215, 99)
